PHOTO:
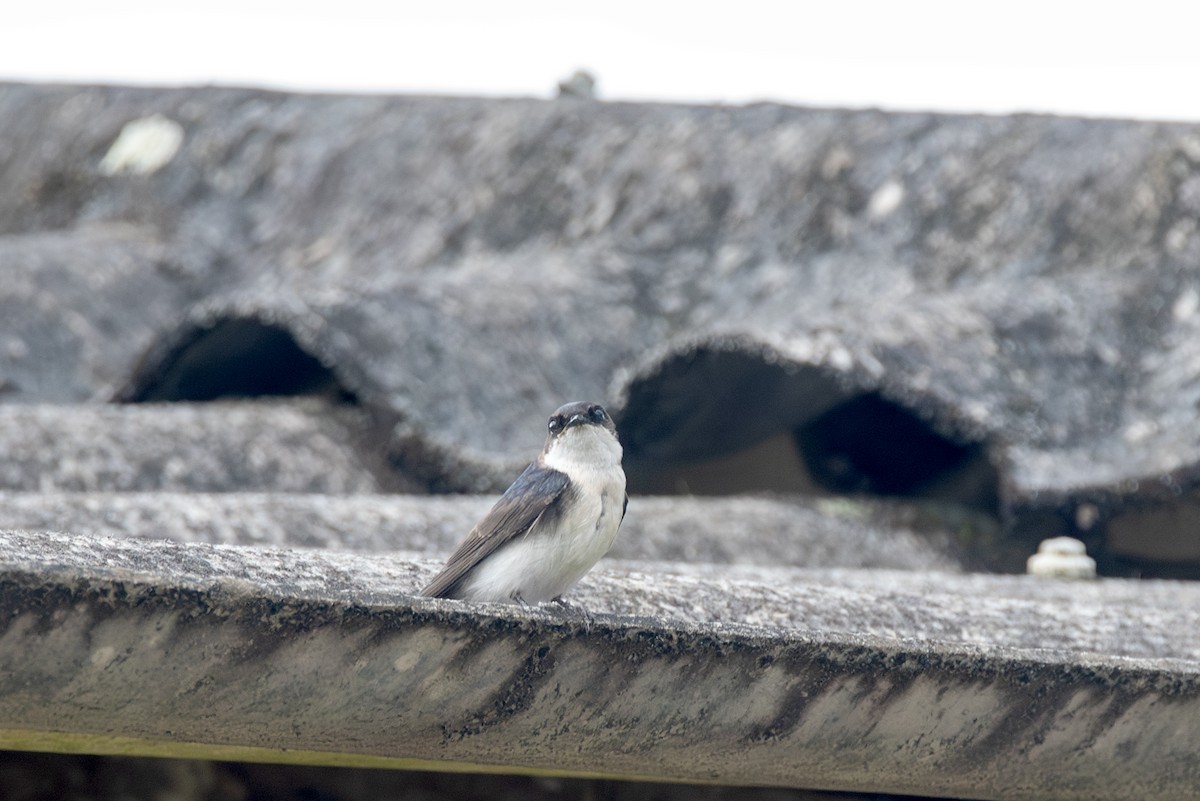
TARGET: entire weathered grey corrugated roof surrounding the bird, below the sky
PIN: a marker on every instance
(995, 312)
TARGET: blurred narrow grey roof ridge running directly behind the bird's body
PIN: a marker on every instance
(799, 532)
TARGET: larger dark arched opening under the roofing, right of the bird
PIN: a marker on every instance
(727, 421)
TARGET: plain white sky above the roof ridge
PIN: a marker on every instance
(1073, 58)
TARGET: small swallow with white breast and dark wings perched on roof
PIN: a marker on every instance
(553, 525)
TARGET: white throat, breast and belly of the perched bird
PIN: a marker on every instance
(560, 550)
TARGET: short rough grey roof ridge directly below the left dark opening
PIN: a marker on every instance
(218, 448)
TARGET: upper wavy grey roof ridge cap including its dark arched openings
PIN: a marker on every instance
(722, 276)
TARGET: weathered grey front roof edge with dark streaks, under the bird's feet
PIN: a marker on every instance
(968, 686)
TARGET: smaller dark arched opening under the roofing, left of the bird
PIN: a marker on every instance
(235, 358)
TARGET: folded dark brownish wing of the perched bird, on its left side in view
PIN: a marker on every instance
(535, 491)
